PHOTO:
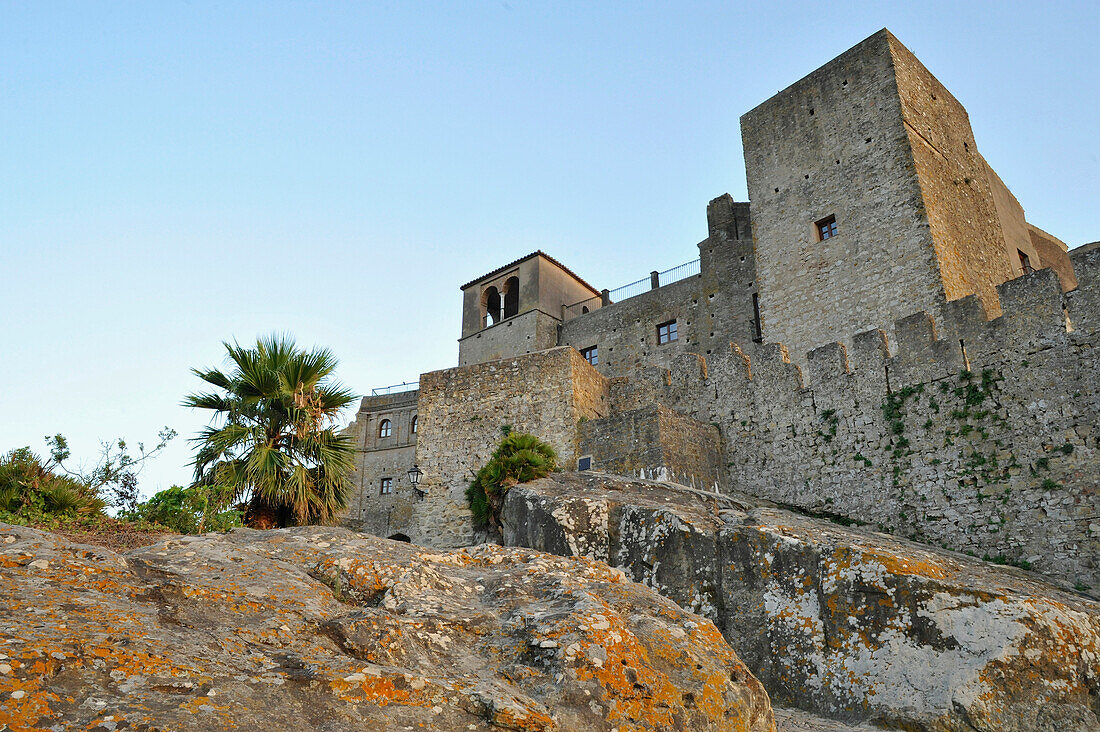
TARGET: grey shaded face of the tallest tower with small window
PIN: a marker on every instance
(835, 144)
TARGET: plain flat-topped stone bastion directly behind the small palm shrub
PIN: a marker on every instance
(463, 411)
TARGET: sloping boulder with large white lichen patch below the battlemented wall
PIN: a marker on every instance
(841, 620)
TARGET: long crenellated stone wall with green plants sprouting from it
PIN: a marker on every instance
(984, 440)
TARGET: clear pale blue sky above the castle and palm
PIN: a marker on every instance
(173, 174)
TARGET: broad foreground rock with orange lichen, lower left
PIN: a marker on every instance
(325, 629)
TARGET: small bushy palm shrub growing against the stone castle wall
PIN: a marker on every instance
(519, 458)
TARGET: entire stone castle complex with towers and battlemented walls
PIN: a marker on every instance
(882, 260)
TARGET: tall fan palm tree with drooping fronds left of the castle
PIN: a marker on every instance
(272, 439)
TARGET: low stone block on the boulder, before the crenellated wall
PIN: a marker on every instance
(655, 443)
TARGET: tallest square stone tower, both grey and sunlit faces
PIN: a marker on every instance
(871, 201)
